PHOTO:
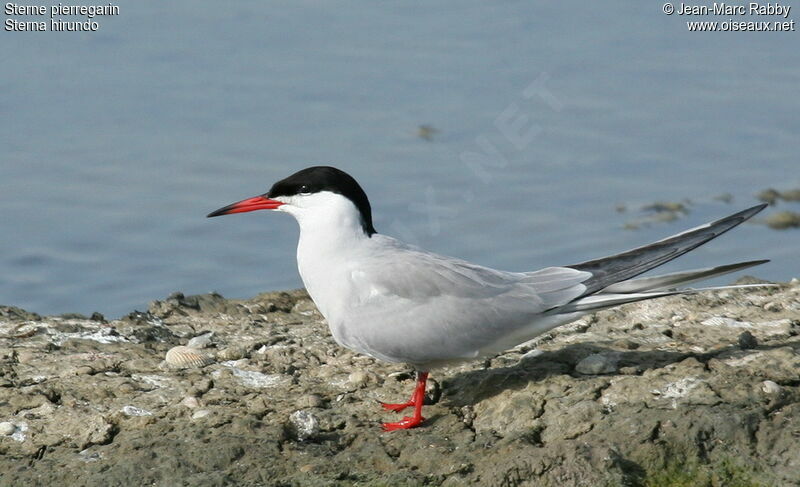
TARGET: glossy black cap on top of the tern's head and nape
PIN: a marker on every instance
(326, 178)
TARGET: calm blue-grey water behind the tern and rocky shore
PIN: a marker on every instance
(115, 144)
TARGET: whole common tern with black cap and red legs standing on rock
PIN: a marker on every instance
(399, 303)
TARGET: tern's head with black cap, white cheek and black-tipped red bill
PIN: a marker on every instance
(315, 194)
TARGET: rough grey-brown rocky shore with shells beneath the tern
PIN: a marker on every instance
(700, 390)
